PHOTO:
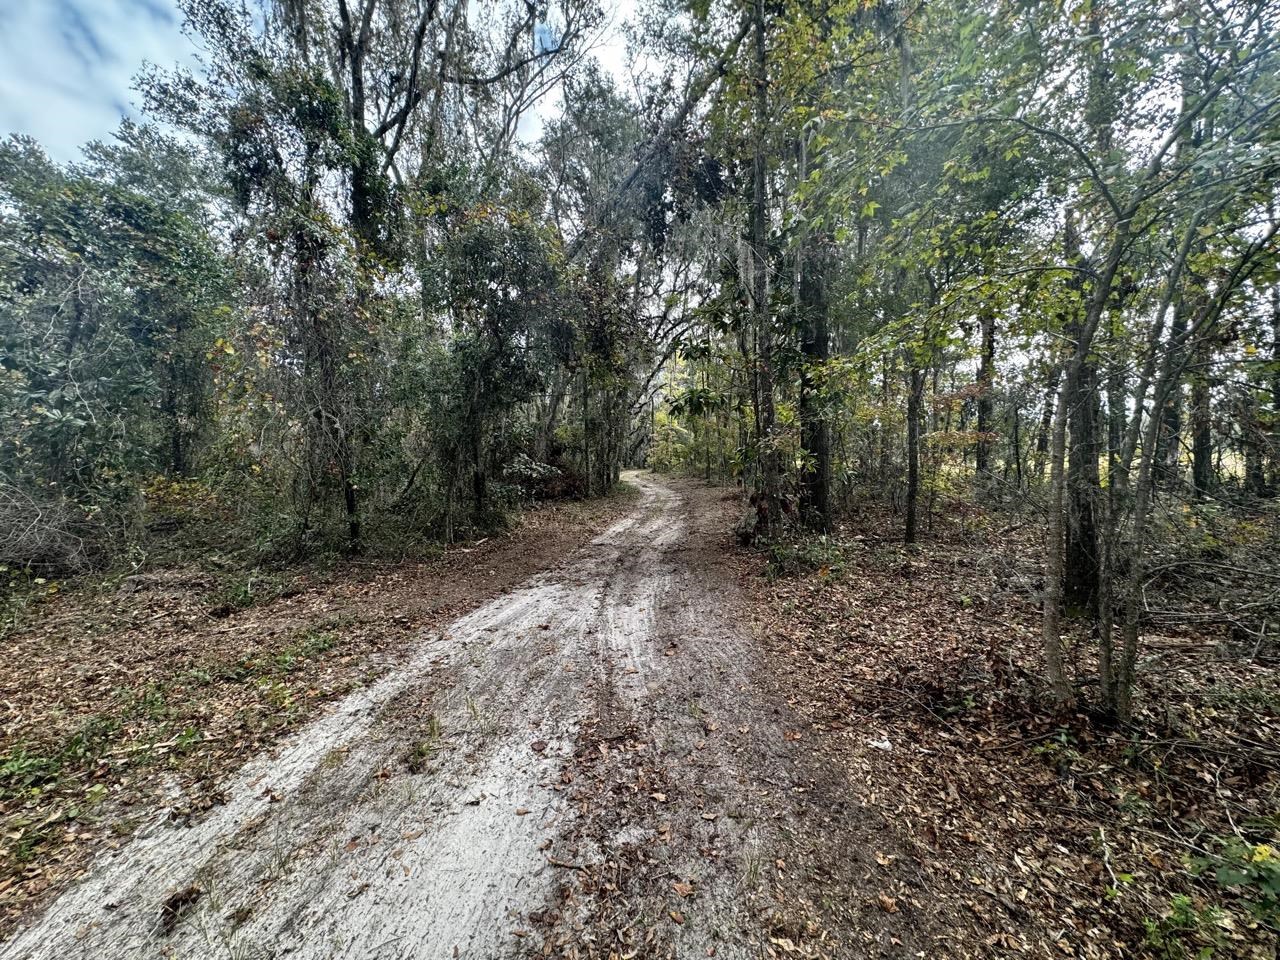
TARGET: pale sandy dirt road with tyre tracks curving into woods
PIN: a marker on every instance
(586, 765)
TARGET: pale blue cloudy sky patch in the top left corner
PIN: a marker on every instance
(67, 67)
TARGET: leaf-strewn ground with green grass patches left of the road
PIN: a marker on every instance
(132, 700)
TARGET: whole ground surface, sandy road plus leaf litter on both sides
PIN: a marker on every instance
(615, 734)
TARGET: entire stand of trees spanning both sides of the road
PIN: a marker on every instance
(381, 273)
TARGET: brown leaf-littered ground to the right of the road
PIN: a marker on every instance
(1032, 834)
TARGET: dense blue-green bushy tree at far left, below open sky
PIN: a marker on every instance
(108, 291)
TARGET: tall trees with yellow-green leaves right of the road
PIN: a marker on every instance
(1020, 258)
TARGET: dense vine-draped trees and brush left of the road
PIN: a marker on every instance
(324, 290)
